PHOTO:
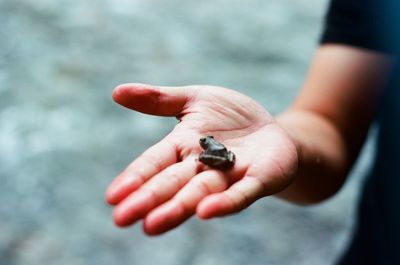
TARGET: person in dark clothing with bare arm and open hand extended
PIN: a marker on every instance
(302, 155)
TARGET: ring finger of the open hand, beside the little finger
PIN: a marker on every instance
(183, 205)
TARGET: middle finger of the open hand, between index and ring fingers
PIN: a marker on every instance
(160, 188)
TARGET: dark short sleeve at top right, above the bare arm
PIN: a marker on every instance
(369, 24)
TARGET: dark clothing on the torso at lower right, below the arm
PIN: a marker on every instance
(377, 236)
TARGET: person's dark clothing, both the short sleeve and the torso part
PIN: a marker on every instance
(375, 25)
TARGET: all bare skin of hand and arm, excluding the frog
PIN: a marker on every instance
(306, 155)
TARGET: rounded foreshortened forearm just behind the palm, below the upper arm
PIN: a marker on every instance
(323, 158)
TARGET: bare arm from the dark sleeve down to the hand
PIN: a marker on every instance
(330, 118)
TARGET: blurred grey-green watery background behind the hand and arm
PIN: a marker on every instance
(62, 139)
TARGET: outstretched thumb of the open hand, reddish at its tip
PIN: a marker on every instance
(161, 101)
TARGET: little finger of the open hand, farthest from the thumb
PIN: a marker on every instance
(239, 196)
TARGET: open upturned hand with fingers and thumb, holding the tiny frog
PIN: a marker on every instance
(166, 184)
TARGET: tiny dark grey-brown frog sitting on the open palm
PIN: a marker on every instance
(215, 154)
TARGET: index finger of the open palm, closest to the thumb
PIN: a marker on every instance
(151, 162)
